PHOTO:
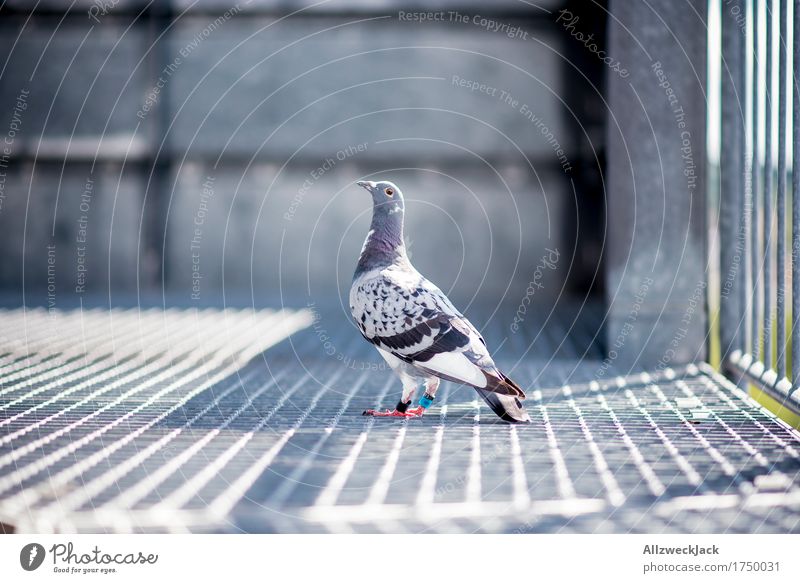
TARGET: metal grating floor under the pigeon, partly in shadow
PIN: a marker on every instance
(242, 420)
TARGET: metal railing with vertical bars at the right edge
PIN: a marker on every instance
(754, 223)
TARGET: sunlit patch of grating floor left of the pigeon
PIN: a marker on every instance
(109, 421)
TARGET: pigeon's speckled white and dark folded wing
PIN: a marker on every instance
(409, 317)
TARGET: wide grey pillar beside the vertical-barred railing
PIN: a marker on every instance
(656, 189)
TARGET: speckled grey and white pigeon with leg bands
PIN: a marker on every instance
(413, 324)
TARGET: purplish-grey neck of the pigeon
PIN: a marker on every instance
(384, 244)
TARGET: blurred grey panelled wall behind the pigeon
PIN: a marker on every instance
(150, 109)
